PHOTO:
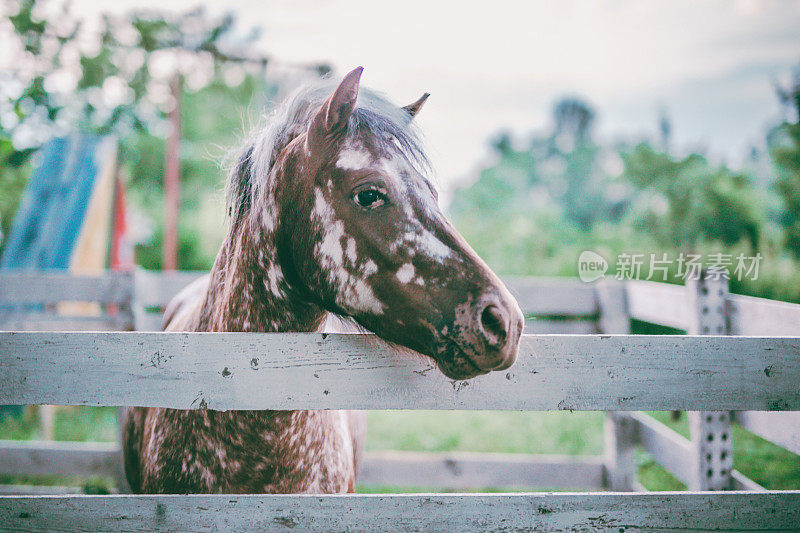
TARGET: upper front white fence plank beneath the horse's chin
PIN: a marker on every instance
(312, 371)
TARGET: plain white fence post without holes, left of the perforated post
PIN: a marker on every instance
(620, 434)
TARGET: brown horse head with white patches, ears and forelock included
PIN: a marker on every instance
(359, 232)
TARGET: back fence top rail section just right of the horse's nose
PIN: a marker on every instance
(553, 296)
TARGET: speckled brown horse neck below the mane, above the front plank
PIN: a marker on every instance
(248, 290)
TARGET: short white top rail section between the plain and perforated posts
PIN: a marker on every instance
(658, 303)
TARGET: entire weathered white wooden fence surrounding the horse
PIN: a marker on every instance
(710, 375)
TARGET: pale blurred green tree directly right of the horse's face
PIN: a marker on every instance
(538, 202)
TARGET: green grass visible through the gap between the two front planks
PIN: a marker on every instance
(557, 432)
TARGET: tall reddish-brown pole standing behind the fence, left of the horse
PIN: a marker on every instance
(172, 170)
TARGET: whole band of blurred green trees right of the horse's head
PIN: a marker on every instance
(534, 210)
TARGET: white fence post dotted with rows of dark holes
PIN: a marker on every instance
(712, 443)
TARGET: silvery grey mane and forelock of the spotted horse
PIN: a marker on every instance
(388, 125)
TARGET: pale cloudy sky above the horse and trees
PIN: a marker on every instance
(490, 66)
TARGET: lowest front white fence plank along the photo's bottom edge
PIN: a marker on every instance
(407, 512)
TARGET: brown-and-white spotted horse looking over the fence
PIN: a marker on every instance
(331, 213)
